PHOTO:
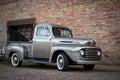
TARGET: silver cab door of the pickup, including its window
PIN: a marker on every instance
(41, 43)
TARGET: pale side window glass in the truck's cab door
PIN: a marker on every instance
(43, 32)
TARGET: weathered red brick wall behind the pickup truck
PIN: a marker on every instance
(96, 19)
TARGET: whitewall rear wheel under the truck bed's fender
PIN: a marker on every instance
(15, 60)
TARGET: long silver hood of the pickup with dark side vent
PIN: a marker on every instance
(73, 41)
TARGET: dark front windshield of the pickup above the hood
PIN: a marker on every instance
(61, 32)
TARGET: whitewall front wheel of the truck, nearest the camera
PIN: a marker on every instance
(62, 62)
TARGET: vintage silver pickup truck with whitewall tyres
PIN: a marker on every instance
(52, 44)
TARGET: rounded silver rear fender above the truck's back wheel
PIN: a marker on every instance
(17, 49)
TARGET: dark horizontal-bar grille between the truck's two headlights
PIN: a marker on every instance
(91, 54)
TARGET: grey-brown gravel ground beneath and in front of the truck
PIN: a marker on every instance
(49, 72)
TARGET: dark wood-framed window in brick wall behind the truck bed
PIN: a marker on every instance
(19, 29)
